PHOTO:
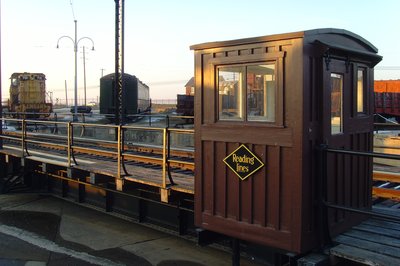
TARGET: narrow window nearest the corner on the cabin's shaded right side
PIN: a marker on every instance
(336, 103)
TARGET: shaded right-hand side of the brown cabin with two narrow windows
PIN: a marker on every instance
(347, 124)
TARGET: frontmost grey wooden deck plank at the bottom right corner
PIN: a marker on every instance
(363, 256)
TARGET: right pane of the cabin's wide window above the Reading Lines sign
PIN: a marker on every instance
(261, 93)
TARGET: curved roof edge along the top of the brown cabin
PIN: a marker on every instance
(283, 36)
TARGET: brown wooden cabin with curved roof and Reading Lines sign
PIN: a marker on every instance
(263, 105)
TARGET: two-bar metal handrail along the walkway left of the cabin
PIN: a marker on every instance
(119, 151)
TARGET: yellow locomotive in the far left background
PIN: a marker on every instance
(28, 94)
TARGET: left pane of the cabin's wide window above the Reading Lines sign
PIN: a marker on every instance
(230, 82)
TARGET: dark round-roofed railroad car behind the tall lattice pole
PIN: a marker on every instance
(135, 101)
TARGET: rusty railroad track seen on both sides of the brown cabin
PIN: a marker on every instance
(386, 185)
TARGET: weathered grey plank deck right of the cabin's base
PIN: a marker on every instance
(373, 242)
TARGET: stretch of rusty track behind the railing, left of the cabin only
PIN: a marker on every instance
(177, 158)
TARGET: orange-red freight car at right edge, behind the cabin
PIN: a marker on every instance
(387, 98)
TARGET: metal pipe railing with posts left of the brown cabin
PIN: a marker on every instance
(64, 132)
